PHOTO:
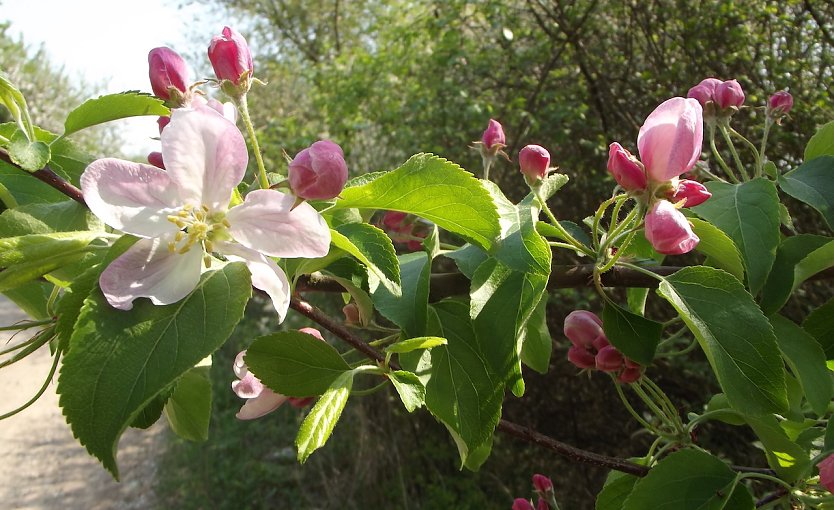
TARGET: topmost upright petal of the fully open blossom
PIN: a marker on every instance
(205, 155)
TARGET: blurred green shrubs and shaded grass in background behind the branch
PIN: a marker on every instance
(387, 79)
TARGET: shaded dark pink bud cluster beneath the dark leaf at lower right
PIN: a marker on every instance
(591, 349)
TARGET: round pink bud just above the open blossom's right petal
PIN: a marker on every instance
(318, 172)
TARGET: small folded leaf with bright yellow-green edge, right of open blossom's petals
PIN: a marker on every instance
(373, 248)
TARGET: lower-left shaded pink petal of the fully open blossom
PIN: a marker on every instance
(149, 269)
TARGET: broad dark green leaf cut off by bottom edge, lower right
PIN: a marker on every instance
(684, 480)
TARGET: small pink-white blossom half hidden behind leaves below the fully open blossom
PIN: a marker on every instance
(261, 400)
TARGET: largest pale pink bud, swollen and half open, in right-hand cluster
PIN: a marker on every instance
(670, 140)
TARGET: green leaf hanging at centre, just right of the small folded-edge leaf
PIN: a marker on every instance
(408, 310)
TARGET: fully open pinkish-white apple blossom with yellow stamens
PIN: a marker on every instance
(182, 216)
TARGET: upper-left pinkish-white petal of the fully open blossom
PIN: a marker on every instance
(131, 197)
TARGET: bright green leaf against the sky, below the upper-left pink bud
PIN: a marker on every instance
(111, 107)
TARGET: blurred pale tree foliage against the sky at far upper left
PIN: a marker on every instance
(51, 93)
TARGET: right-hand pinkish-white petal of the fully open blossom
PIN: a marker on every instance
(265, 223)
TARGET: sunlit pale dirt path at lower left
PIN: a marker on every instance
(43, 467)
